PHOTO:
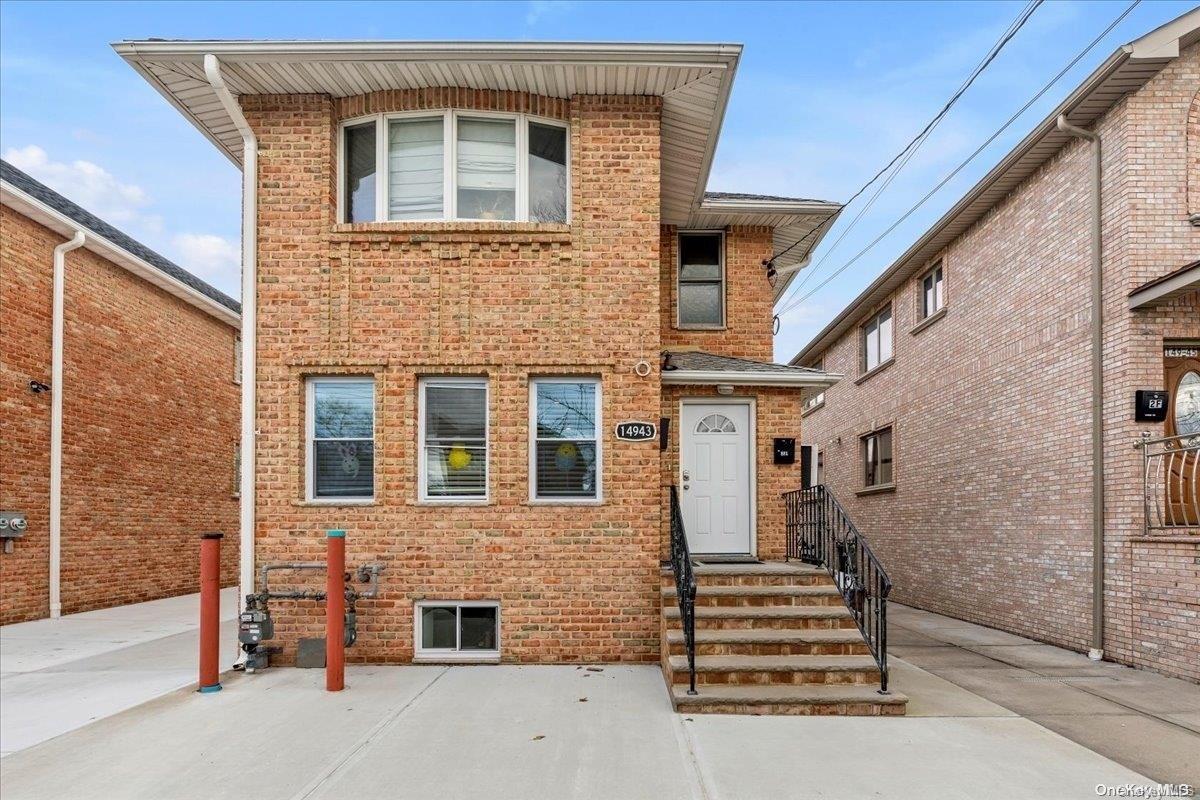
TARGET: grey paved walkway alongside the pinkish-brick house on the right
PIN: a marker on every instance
(1139, 719)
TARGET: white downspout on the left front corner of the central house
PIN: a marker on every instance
(249, 324)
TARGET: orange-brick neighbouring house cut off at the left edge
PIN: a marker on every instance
(117, 484)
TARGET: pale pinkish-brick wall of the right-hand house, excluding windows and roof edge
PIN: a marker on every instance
(991, 520)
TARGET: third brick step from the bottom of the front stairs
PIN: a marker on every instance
(767, 642)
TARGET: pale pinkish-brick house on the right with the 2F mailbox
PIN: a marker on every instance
(963, 438)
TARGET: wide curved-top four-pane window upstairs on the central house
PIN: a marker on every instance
(454, 166)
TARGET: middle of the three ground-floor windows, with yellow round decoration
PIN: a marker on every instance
(454, 440)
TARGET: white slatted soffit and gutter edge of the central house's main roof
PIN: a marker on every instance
(693, 80)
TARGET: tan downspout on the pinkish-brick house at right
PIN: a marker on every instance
(1097, 652)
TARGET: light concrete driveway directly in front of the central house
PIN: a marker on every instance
(544, 732)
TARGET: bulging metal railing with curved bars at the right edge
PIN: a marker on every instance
(1171, 470)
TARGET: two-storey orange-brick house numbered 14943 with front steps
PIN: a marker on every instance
(467, 264)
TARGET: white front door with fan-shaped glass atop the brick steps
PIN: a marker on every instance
(716, 477)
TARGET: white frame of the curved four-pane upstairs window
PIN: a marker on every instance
(449, 163)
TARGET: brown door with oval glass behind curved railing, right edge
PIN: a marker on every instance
(1181, 376)
